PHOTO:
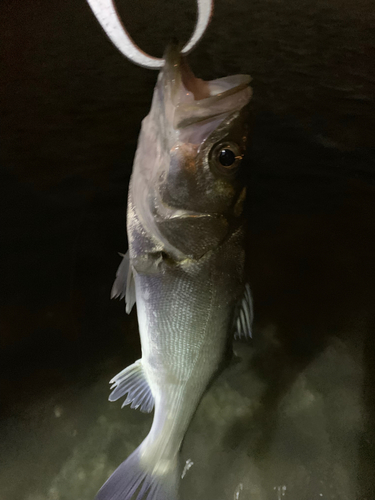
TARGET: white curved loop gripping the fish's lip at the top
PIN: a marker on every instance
(106, 13)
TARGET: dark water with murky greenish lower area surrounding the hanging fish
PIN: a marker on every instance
(295, 418)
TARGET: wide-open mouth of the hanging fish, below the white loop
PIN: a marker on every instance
(194, 99)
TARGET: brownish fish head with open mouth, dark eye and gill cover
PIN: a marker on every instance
(192, 145)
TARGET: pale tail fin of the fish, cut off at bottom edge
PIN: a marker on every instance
(131, 481)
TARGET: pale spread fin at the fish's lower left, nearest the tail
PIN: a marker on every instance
(133, 382)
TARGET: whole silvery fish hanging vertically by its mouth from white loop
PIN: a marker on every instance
(184, 268)
